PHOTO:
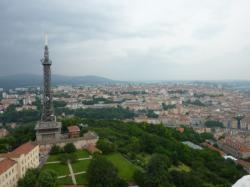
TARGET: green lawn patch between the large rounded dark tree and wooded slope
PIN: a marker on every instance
(125, 168)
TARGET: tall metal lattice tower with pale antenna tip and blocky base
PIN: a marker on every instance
(48, 129)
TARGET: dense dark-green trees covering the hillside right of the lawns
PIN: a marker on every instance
(138, 141)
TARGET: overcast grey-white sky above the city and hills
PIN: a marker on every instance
(128, 39)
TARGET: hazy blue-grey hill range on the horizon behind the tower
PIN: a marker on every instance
(24, 80)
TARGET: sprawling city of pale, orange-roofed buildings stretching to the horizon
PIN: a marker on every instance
(207, 109)
